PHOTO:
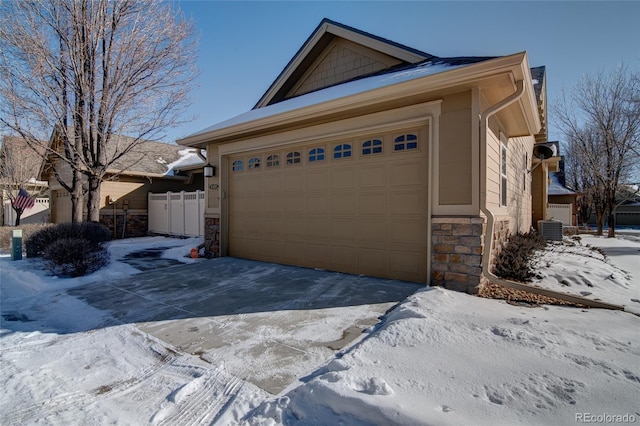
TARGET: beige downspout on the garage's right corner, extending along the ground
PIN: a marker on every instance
(488, 236)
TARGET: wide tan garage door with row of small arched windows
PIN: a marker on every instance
(356, 205)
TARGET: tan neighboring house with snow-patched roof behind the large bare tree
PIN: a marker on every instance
(149, 167)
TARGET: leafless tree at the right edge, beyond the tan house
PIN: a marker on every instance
(601, 122)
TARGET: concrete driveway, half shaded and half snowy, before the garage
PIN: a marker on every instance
(265, 323)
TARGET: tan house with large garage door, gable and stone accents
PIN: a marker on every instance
(369, 157)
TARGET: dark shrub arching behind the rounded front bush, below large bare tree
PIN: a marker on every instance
(94, 233)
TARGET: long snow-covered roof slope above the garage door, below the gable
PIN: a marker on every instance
(350, 88)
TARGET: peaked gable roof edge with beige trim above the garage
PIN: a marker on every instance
(321, 38)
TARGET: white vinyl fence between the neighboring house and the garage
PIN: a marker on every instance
(177, 213)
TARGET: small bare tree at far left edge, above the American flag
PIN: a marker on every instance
(19, 168)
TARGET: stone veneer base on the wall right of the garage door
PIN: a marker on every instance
(457, 253)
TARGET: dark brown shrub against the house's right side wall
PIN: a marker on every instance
(514, 261)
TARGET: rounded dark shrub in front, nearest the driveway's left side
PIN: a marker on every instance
(75, 257)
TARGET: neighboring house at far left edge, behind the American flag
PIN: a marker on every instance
(19, 166)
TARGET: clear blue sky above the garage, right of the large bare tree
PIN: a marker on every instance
(244, 45)
